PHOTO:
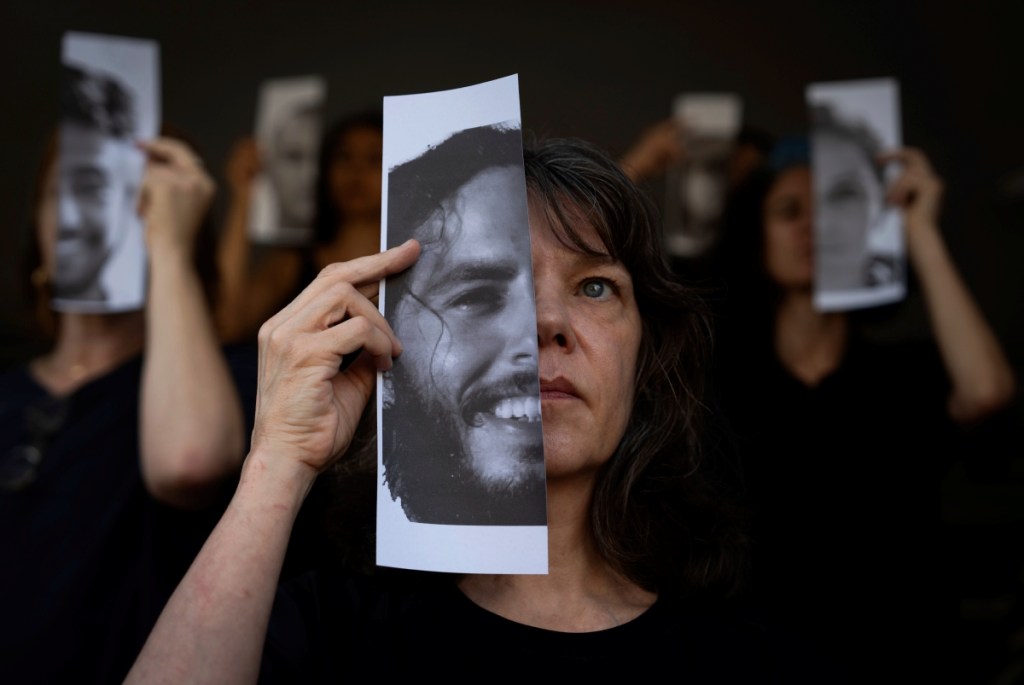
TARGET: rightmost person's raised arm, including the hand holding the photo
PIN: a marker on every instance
(983, 378)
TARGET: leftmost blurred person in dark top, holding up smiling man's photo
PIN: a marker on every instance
(118, 443)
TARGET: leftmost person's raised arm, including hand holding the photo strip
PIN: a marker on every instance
(192, 433)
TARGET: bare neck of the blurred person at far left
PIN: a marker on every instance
(88, 347)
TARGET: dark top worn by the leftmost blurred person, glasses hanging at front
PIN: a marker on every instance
(90, 559)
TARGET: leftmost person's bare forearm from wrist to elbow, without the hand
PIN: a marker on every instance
(193, 432)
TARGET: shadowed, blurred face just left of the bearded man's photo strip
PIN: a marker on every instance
(356, 174)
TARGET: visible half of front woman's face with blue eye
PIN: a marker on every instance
(589, 332)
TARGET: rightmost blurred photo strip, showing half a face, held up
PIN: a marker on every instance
(860, 254)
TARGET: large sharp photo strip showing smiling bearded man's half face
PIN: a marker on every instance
(462, 449)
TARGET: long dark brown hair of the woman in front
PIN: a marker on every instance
(660, 516)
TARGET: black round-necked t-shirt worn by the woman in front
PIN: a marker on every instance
(327, 626)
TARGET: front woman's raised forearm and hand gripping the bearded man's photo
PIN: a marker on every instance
(215, 626)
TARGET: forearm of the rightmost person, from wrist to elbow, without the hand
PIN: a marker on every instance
(982, 376)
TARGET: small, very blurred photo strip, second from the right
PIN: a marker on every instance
(697, 187)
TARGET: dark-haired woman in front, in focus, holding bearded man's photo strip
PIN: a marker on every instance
(645, 546)
